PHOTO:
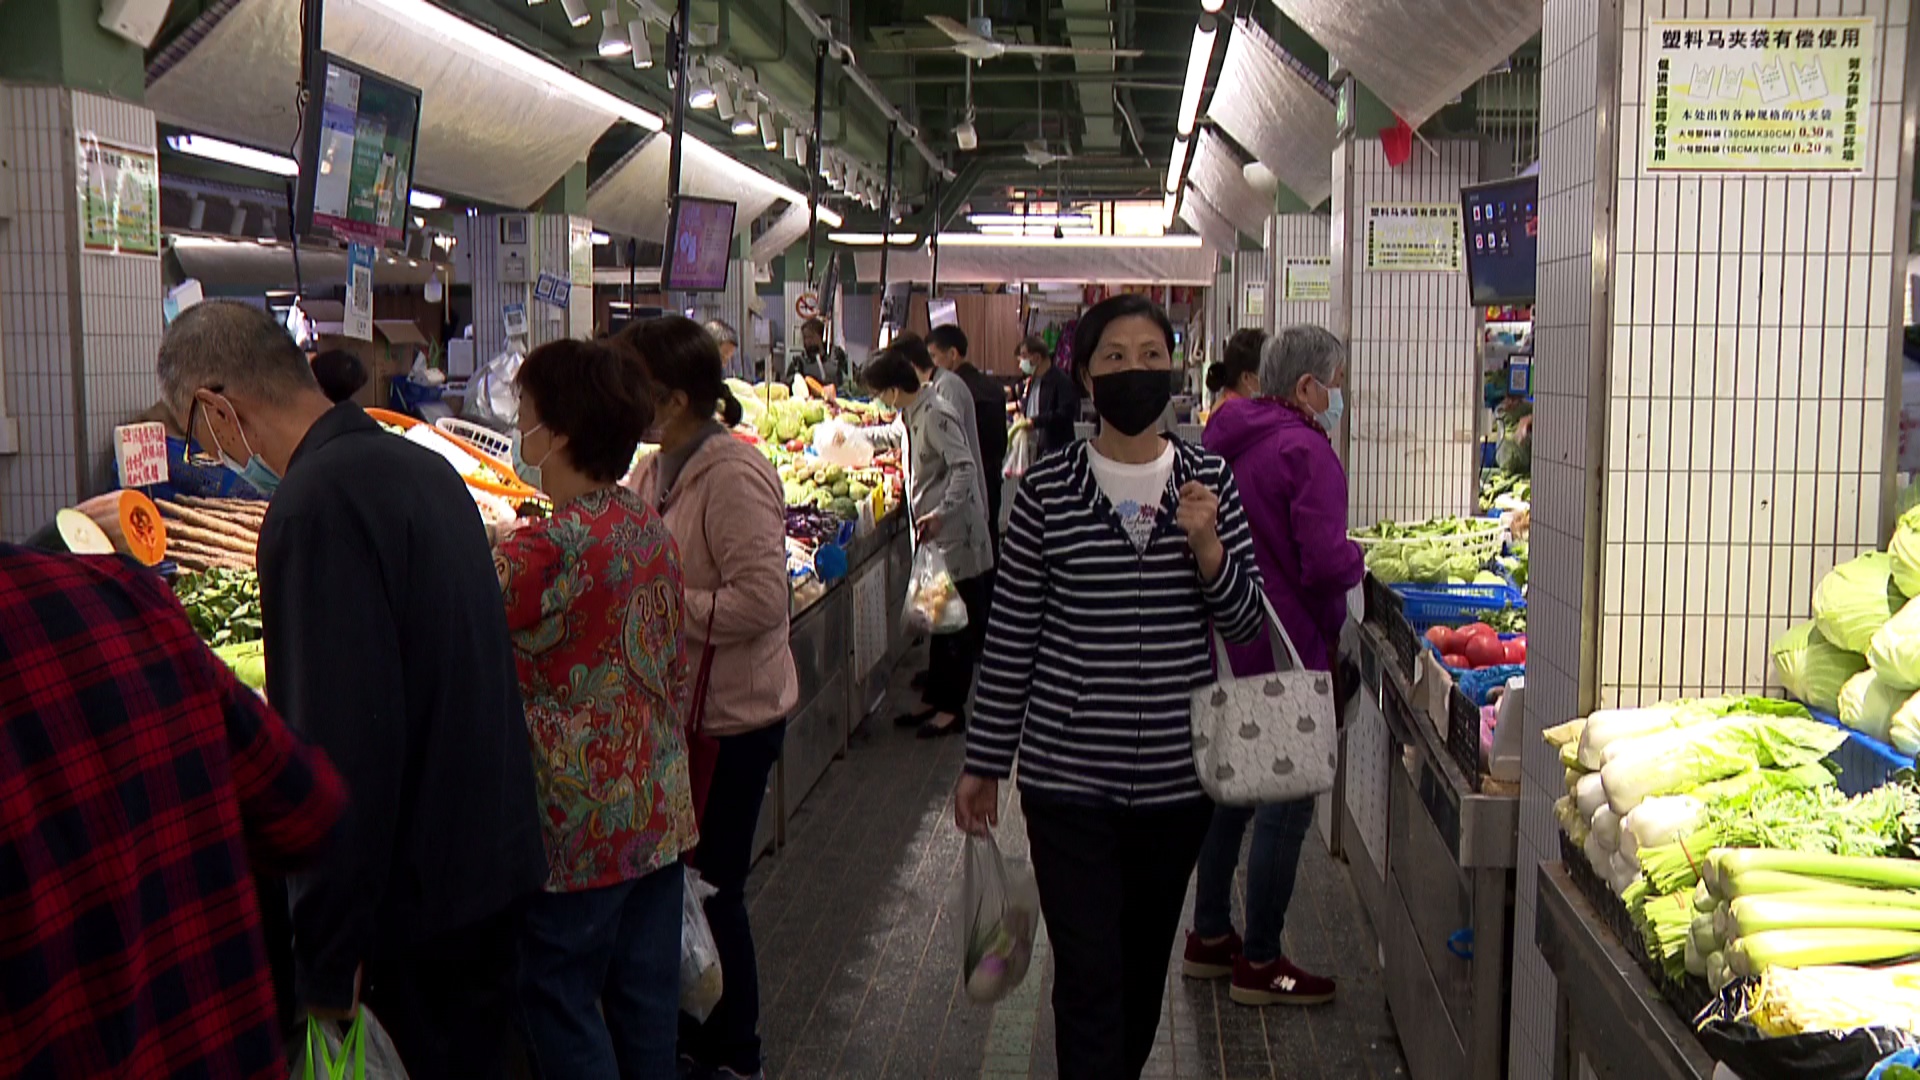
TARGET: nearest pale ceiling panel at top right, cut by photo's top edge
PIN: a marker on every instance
(1418, 55)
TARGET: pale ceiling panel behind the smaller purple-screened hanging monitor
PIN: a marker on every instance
(631, 197)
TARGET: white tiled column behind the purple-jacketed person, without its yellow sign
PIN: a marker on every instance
(1414, 381)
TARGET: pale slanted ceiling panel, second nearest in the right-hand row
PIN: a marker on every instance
(1278, 110)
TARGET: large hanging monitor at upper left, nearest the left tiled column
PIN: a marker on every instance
(356, 160)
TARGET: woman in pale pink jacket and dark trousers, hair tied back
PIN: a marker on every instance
(723, 503)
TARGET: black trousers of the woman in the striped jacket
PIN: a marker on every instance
(1113, 885)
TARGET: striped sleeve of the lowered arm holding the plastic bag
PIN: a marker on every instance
(1013, 643)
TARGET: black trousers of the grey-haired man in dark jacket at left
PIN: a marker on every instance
(448, 1002)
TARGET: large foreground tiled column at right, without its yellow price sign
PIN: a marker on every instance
(1714, 366)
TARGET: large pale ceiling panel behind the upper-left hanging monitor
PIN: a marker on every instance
(489, 132)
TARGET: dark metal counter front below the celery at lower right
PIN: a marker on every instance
(1612, 1023)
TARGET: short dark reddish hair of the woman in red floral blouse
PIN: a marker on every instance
(598, 397)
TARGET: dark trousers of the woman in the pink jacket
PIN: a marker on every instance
(731, 1037)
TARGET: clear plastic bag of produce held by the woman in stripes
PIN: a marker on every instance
(999, 916)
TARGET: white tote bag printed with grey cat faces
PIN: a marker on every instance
(1268, 739)
